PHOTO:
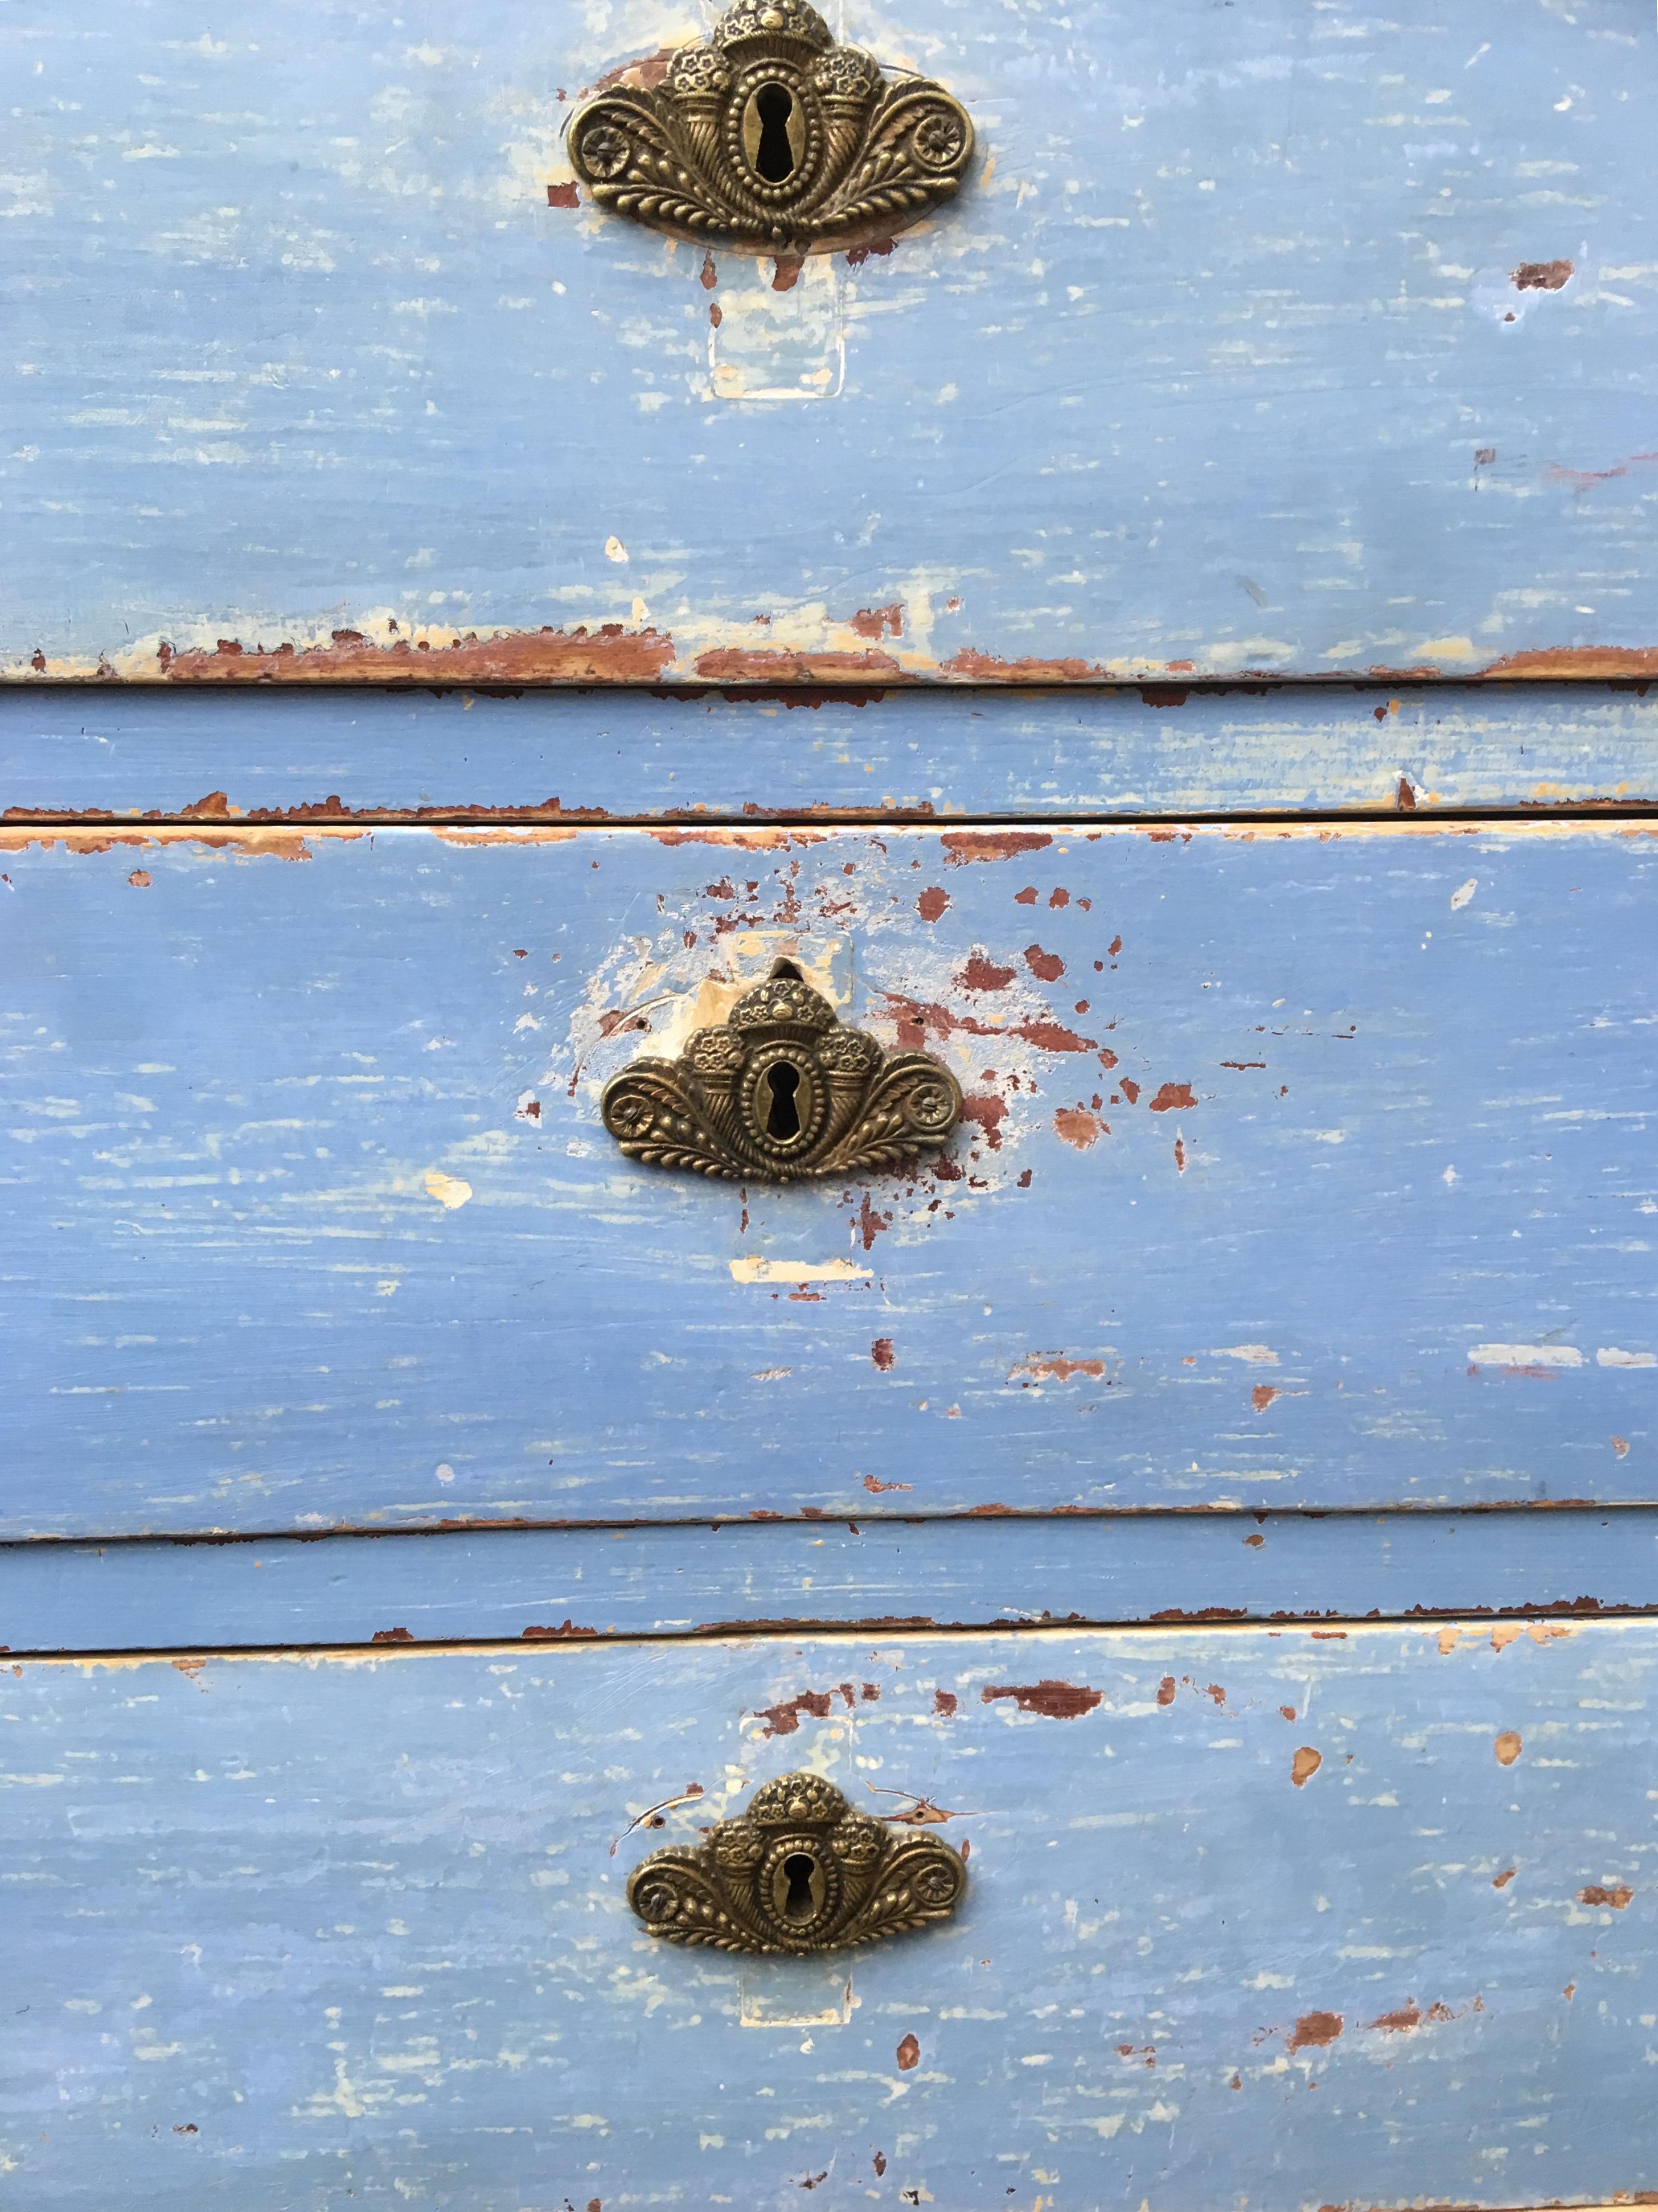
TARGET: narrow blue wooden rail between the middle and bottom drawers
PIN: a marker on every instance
(879, 1574)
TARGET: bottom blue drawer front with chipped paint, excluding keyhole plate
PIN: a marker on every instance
(1250, 1917)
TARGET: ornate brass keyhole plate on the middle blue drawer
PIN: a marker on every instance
(781, 1094)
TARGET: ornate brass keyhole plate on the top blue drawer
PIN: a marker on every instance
(773, 136)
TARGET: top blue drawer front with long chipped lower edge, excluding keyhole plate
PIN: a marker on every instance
(1263, 340)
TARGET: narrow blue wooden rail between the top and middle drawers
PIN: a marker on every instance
(870, 753)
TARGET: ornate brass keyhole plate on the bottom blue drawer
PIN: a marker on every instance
(797, 1872)
